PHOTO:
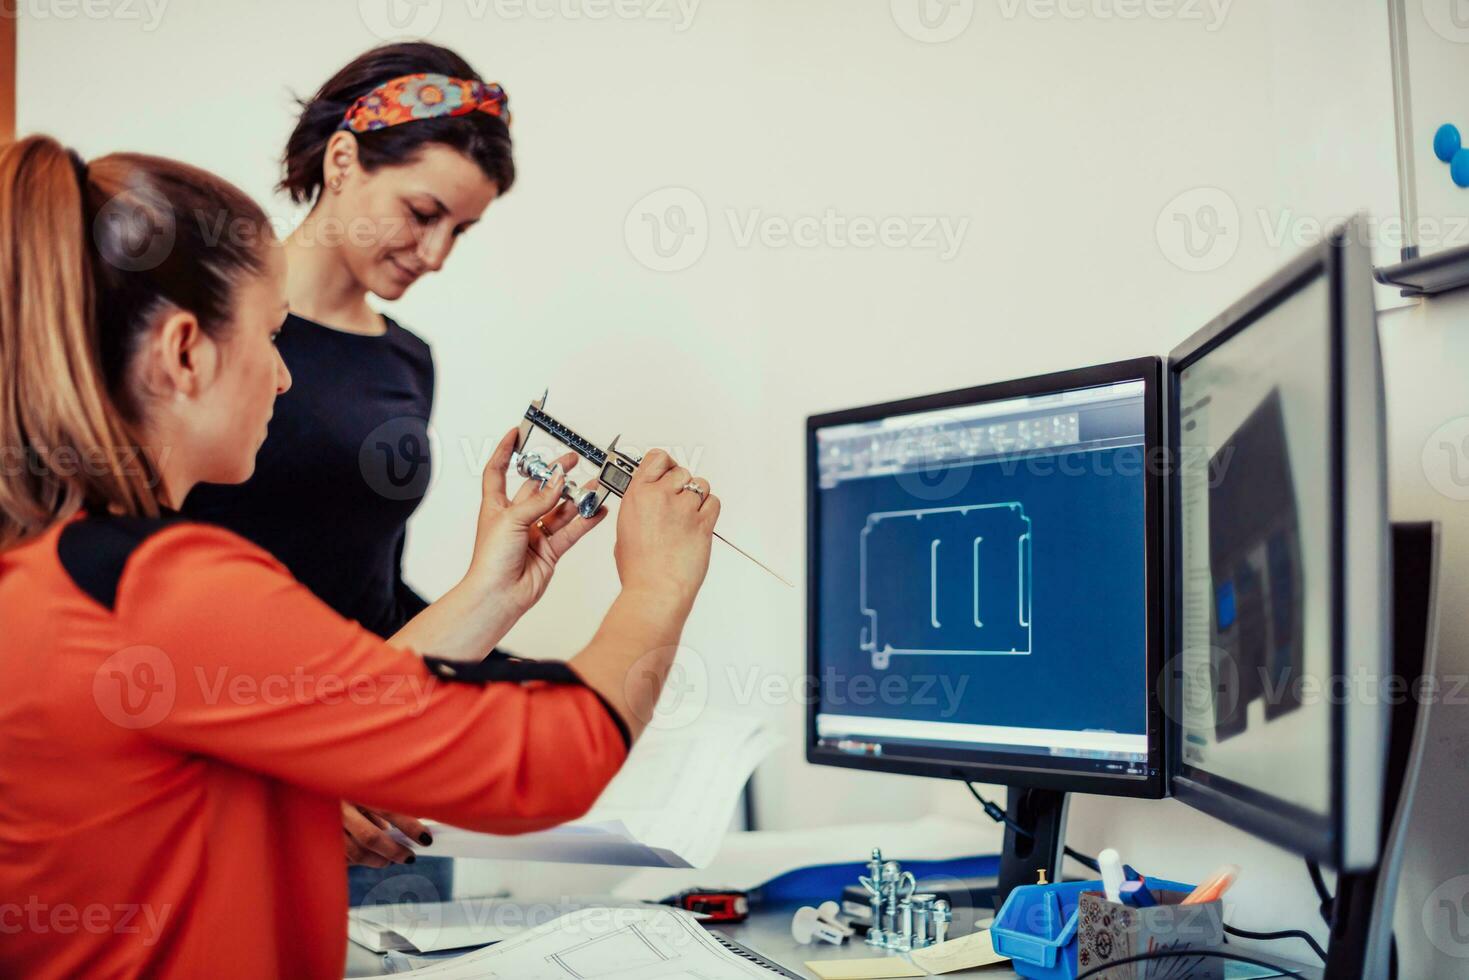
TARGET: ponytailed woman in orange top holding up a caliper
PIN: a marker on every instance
(181, 719)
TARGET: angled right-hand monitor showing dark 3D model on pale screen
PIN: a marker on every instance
(1280, 600)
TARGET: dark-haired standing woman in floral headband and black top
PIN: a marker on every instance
(399, 155)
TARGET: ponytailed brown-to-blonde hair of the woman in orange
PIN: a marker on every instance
(70, 317)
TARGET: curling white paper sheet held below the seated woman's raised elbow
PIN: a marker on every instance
(669, 807)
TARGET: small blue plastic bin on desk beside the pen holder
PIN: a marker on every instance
(1038, 926)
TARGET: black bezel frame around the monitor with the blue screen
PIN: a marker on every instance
(1151, 787)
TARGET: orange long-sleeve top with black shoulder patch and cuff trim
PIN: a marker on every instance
(180, 721)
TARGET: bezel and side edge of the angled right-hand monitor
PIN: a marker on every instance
(1345, 838)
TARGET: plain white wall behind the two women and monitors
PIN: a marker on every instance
(1066, 155)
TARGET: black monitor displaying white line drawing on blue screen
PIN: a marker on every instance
(985, 577)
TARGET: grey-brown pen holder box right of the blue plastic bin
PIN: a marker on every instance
(1111, 931)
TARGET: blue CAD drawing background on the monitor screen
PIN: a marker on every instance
(1088, 606)
